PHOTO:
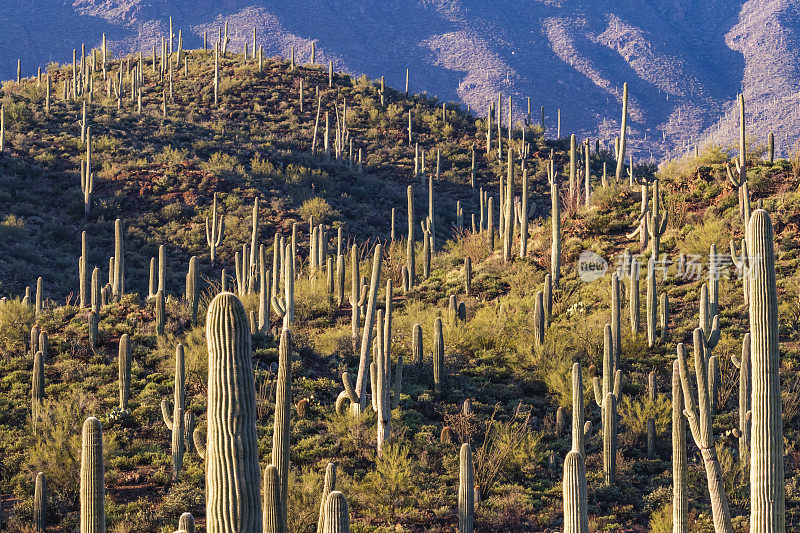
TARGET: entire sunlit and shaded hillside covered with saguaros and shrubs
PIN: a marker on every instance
(246, 294)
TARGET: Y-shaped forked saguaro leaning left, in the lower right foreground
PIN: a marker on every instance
(698, 414)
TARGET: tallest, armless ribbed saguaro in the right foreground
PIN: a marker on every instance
(767, 489)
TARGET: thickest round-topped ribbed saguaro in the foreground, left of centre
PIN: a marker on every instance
(232, 473)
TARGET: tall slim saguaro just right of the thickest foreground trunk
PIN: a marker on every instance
(281, 435)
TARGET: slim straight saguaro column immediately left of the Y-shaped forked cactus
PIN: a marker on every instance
(680, 499)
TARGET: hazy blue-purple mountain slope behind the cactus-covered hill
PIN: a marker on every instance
(685, 61)
